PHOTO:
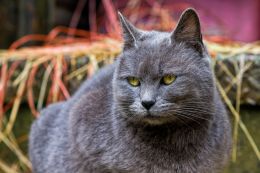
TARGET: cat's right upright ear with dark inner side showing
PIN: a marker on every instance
(188, 27)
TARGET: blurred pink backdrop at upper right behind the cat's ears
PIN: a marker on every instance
(236, 19)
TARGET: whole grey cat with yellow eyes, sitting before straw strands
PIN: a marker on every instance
(155, 110)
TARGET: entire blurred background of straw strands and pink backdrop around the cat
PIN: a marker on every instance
(48, 47)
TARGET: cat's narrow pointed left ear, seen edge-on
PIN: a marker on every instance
(130, 32)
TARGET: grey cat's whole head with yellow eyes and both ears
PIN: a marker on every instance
(164, 77)
